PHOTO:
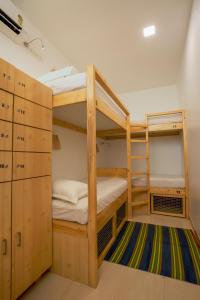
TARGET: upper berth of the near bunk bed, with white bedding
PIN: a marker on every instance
(71, 96)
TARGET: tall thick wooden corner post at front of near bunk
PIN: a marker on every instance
(92, 198)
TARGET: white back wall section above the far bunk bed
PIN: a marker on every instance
(151, 100)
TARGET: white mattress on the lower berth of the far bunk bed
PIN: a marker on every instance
(168, 181)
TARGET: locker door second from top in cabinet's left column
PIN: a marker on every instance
(6, 106)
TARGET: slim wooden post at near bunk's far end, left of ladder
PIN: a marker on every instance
(129, 162)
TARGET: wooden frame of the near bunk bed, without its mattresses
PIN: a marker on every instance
(76, 253)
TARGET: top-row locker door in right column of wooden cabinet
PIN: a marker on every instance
(31, 89)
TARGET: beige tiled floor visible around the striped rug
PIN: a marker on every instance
(118, 282)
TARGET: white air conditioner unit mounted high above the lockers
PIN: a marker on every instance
(11, 22)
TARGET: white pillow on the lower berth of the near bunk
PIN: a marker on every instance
(69, 190)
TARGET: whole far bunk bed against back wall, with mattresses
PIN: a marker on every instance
(167, 194)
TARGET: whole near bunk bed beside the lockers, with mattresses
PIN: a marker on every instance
(83, 235)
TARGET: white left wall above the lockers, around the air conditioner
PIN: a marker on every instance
(37, 63)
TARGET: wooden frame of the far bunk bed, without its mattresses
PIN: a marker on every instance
(159, 130)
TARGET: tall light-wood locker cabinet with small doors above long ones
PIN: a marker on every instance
(25, 180)
